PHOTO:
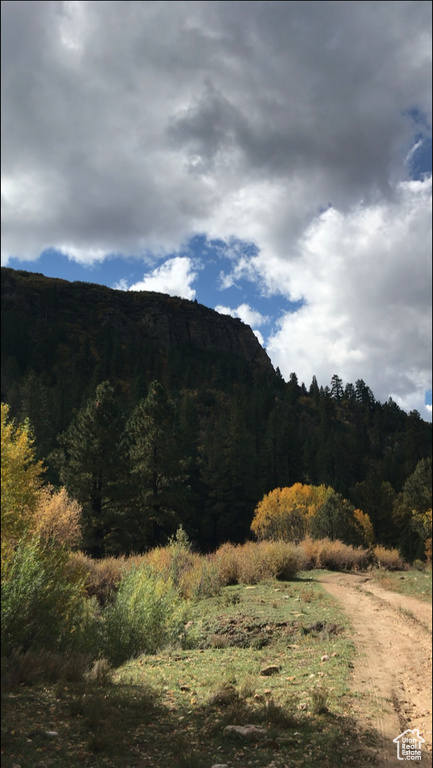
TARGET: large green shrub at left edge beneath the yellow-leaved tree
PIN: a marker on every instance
(42, 607)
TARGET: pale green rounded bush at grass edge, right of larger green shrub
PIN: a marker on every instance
(147, 614)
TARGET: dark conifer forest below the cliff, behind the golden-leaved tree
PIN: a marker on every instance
(206, 459)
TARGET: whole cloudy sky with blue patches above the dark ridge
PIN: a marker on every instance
(270, 159)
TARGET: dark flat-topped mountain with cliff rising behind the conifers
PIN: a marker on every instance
(69, 337)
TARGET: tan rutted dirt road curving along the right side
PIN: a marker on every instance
(392, 676)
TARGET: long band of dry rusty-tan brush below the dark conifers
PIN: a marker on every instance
(197, 576)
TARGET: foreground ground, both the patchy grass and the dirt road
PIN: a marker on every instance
(352, 665)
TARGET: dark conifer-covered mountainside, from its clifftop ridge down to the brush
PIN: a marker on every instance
(149, 429)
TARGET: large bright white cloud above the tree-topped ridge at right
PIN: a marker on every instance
(365, 277)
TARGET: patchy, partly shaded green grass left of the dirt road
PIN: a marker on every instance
(172, 708)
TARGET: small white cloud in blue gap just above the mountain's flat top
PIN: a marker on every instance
(174, 277)
